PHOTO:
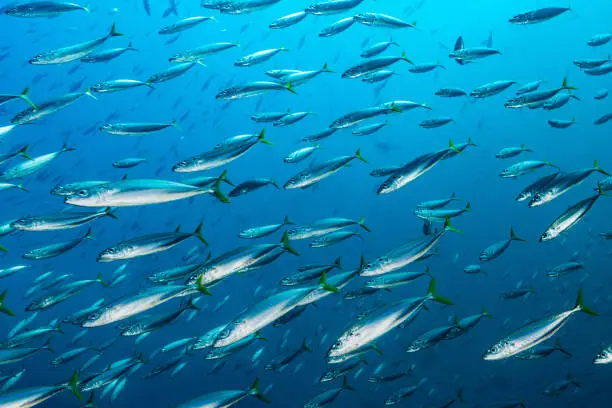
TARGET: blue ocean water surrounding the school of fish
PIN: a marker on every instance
(544, 51)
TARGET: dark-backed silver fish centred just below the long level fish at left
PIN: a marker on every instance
(148, 245)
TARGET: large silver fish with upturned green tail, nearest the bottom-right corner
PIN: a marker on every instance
(532, 334)
